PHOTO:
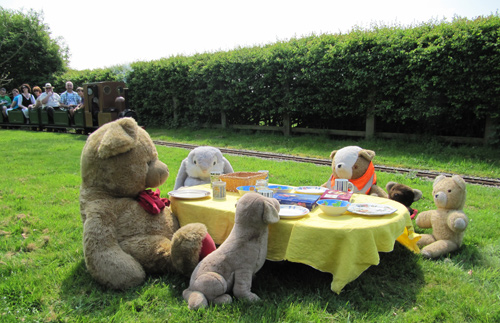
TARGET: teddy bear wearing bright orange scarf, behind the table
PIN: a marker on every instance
(355, 164)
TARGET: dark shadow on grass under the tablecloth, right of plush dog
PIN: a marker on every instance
(395, 282)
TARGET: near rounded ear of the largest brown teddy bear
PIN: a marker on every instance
(120, 137)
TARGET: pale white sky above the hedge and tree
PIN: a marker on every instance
(105, 33)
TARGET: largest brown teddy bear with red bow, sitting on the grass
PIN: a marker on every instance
(128, 230)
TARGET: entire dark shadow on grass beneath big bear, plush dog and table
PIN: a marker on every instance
(394, 283)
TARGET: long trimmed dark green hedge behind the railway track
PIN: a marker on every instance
(438, 78)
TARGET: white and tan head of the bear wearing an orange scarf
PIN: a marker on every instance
(351, 162)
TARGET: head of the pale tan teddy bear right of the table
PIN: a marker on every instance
(449, 192)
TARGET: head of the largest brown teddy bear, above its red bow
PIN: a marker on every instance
(121, 160)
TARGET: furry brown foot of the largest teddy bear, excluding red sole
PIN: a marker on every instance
(187, 244)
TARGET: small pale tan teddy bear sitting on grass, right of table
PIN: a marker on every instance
(448, 222)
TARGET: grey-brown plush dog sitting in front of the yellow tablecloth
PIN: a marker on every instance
(239, 257)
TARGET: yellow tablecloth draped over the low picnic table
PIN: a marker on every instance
(344, 245)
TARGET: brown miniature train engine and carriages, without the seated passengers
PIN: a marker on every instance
(103, 102)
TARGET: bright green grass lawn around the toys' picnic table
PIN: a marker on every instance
(43, 276)
